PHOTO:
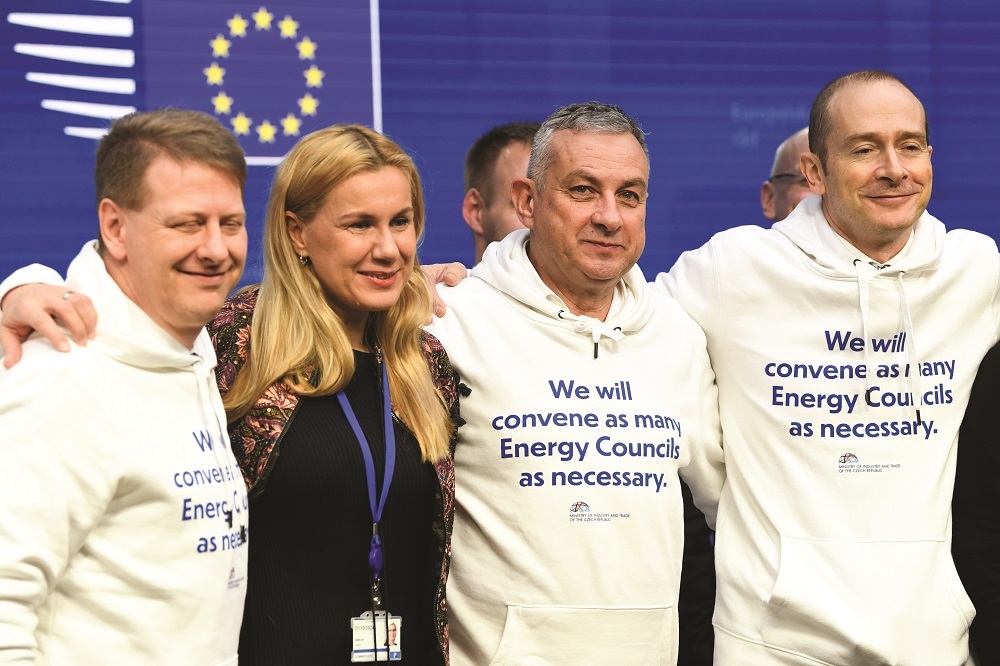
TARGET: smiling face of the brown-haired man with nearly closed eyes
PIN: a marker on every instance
(180, 255)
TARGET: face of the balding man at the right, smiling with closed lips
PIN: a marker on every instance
(877, 178)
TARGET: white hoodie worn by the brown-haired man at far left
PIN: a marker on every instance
(115, 473)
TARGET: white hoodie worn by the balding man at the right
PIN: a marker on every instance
(834, 527)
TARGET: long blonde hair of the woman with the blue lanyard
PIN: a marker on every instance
(296, 337)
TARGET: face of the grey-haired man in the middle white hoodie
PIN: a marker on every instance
(587, 217)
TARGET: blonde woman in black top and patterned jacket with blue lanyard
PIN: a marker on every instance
(351, 519)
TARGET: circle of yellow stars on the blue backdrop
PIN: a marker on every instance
(287, 28)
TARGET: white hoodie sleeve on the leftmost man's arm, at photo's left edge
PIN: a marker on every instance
(54, 488)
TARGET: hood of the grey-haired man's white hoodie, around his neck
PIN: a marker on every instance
(506, 267)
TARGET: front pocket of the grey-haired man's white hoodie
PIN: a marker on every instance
(537, 635)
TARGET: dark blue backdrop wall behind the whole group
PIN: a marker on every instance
(717, 84)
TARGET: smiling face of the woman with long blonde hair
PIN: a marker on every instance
(362, 244)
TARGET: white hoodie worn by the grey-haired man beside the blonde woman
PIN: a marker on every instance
(567, 548)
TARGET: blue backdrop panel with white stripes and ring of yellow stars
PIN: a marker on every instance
(271, 72)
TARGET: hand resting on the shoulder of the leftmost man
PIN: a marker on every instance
(43, 308)
